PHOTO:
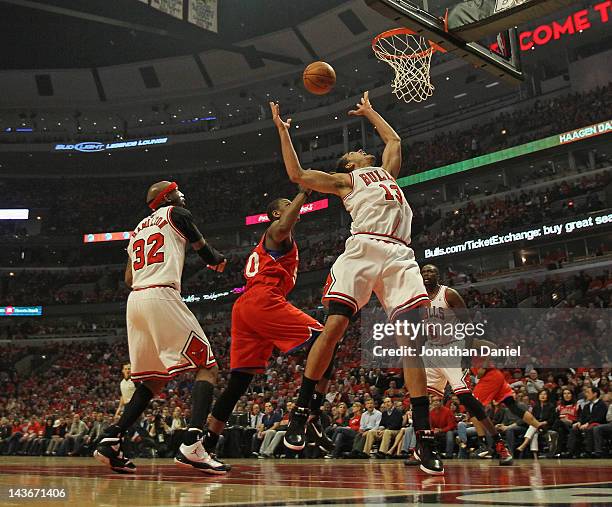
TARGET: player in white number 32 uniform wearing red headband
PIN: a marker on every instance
(164, 337)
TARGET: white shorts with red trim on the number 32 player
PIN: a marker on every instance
(164, 337)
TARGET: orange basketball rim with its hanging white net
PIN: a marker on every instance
(410, 57)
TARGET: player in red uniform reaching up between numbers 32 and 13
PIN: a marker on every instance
(263, 319)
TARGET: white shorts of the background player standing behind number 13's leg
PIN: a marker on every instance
(441, 370)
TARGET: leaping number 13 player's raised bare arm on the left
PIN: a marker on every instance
(337, 184)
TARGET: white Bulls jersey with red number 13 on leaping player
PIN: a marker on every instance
(377, 205)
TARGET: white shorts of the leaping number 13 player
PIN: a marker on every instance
(386, 268)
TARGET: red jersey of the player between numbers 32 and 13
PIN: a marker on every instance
(263, 267)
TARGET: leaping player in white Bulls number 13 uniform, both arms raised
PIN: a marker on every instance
(377, 259)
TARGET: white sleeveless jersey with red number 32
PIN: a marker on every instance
(157, 251)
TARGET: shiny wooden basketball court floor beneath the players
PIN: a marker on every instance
(311, 482)
